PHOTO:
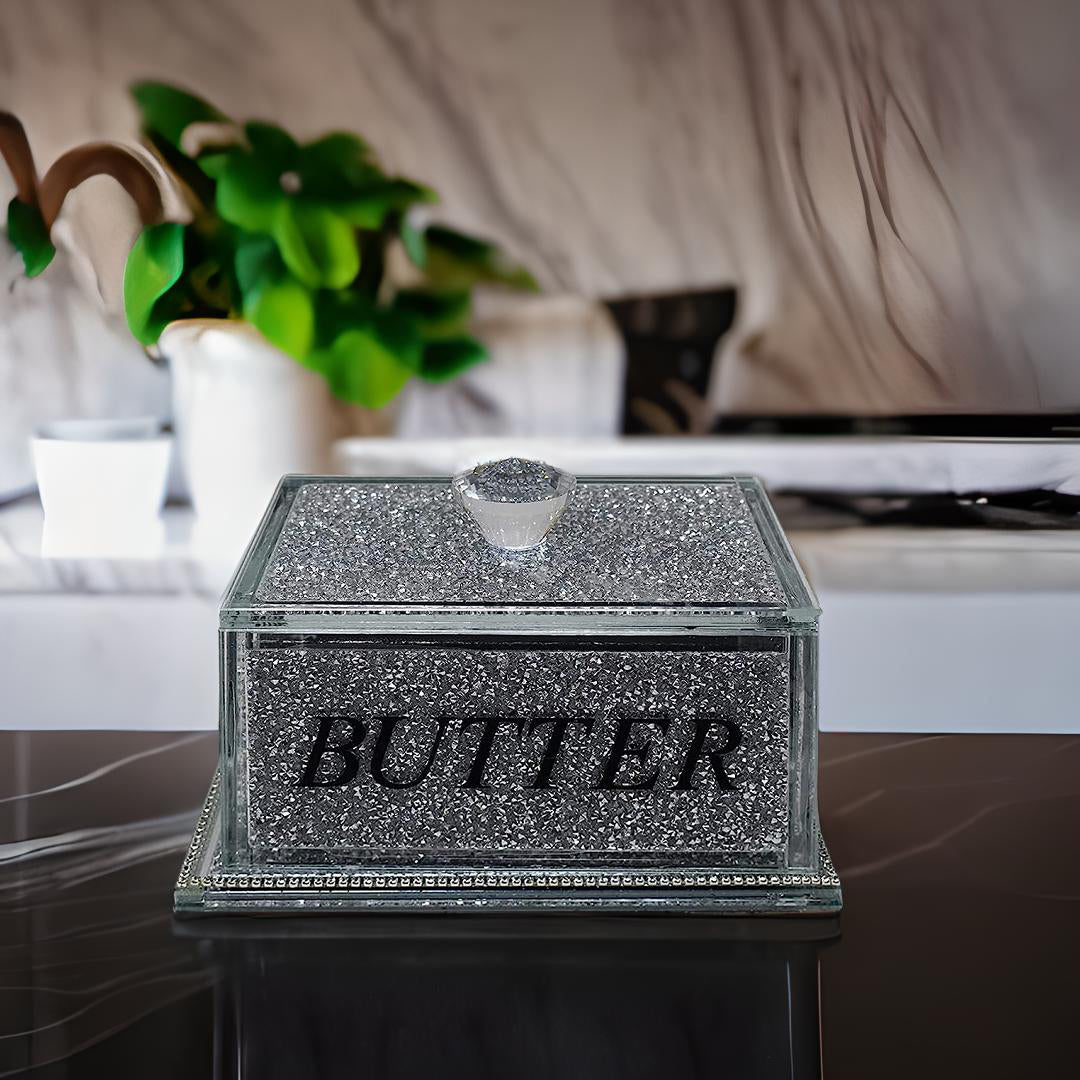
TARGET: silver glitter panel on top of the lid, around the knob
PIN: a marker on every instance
(617, 544)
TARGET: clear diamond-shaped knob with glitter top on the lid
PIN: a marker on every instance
(515, 503)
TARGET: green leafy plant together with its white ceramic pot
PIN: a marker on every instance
(302, 273)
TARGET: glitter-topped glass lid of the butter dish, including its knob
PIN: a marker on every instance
(519, 536)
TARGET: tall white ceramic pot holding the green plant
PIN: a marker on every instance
(246, 414)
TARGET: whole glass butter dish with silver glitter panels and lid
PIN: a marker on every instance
(516, 691)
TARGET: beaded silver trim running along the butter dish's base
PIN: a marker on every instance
(385, 881)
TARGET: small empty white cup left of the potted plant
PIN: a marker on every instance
(102, 485)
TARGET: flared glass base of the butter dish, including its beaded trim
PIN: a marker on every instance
(207, 888)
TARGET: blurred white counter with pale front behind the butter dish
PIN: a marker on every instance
(924, 630)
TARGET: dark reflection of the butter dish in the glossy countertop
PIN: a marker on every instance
(516, 996)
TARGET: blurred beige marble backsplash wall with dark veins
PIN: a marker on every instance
(890, 186)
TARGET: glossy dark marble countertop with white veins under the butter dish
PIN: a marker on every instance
(956, 955)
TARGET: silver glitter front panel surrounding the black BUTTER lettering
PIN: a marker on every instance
(290, 687)
